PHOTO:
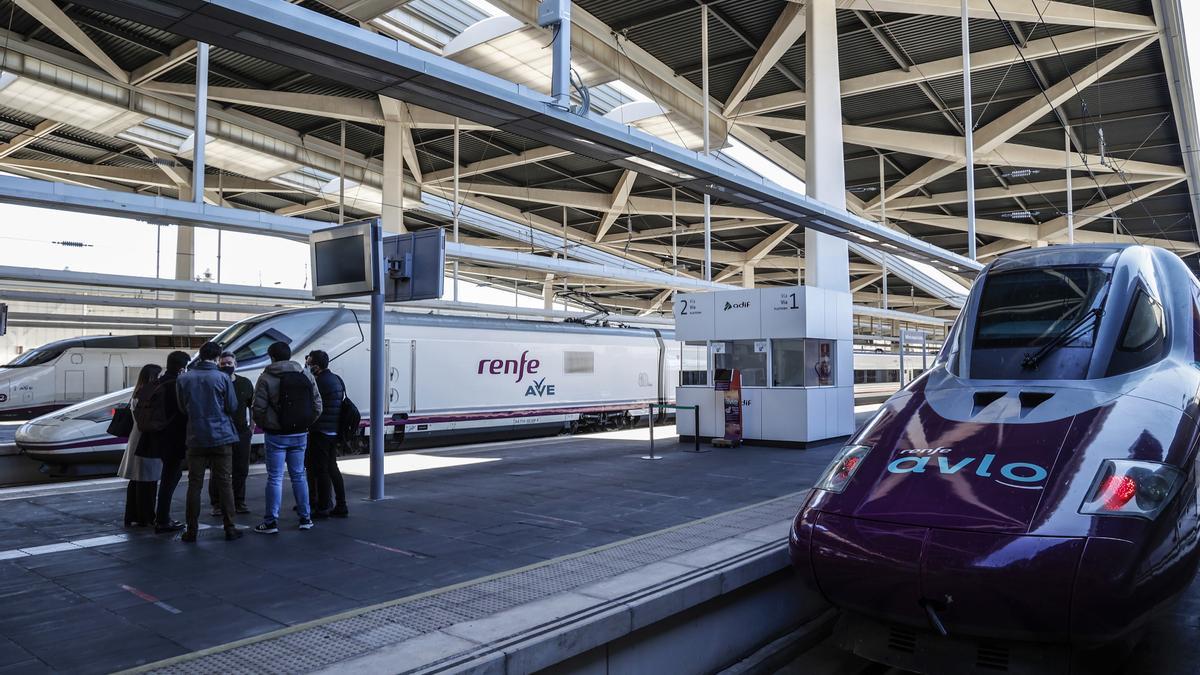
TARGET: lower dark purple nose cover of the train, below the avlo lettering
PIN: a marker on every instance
(1001, 587)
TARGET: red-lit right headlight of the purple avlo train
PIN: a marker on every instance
(1136, 488)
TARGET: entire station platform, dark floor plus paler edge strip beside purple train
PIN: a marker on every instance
(477, 551)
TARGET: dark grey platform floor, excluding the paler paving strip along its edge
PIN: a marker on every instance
(81, 595)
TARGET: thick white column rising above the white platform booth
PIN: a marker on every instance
(827, 259)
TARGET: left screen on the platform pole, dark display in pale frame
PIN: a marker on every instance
(343, 264)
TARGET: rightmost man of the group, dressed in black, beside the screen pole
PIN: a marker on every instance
(321, 458)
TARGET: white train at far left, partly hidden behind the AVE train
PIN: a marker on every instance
(69, 372)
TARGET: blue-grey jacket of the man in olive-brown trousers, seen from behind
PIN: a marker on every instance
(208, 398)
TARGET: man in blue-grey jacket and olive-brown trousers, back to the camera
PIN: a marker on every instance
(208, 398)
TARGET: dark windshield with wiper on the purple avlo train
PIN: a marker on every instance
(1039, 324)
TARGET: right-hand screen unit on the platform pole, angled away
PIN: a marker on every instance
(416, 266)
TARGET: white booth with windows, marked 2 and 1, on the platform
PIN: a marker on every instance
(794, 349)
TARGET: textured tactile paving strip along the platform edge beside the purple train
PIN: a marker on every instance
(331, 642)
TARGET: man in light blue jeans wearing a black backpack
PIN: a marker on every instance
(286, 405)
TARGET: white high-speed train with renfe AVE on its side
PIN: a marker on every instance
(464, 378)
